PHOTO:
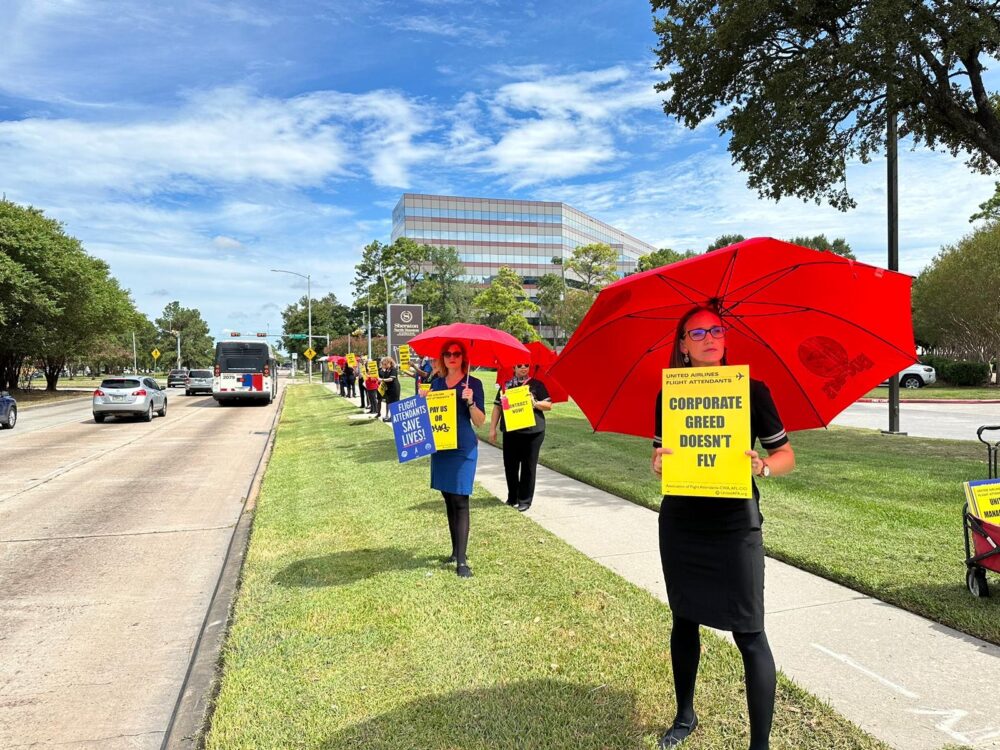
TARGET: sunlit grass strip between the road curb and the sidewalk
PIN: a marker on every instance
(348, 632)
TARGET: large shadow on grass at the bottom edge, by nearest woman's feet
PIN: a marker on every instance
(532, 714)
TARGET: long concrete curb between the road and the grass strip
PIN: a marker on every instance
(191, 716)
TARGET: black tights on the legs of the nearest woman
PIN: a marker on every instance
(758, 664)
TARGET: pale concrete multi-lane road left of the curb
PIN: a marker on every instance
(112, 538)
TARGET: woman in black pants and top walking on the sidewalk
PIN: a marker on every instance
(521, 447)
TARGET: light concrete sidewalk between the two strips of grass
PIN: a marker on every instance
(911, 682)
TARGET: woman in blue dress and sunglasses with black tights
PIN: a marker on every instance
(454, 471)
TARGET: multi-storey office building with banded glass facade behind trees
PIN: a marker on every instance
(523, 235)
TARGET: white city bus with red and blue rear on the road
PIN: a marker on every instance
(245, 371)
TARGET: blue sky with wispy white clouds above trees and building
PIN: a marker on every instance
(196, 144)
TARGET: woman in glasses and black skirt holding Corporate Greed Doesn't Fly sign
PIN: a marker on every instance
(712, 550)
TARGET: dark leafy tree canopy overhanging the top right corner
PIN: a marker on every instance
(805, 87)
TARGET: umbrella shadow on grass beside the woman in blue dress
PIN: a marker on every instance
(342, 568)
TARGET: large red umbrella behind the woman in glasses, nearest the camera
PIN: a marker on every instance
(819, 329)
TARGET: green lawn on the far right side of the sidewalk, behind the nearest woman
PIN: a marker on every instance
(879, 514)
